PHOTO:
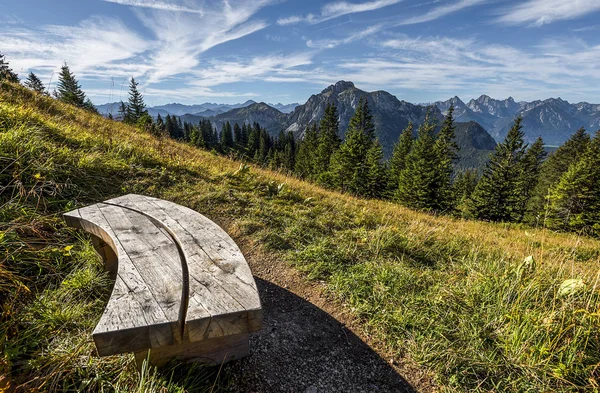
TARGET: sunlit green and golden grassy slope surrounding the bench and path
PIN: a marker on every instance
(452, 295)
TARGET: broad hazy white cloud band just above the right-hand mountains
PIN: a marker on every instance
(447, 66)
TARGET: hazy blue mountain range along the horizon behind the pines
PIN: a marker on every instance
(480, 123)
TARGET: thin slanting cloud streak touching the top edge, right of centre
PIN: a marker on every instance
(336, 9)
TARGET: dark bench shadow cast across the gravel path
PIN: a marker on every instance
(301, 348)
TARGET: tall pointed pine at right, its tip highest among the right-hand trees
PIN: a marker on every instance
(496, 197)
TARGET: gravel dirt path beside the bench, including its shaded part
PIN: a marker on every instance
(309, 342)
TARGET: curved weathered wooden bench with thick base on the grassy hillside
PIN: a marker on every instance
(182, 286)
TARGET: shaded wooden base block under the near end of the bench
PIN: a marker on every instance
(210, 352)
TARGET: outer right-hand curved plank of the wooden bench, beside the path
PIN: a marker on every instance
(220, 280)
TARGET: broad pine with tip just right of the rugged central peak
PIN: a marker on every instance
(349, 166)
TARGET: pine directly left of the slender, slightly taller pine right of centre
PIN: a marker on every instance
(417, 181)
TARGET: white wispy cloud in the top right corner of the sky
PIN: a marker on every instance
(541, 12)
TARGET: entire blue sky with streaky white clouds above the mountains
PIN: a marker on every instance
(283, 51)
